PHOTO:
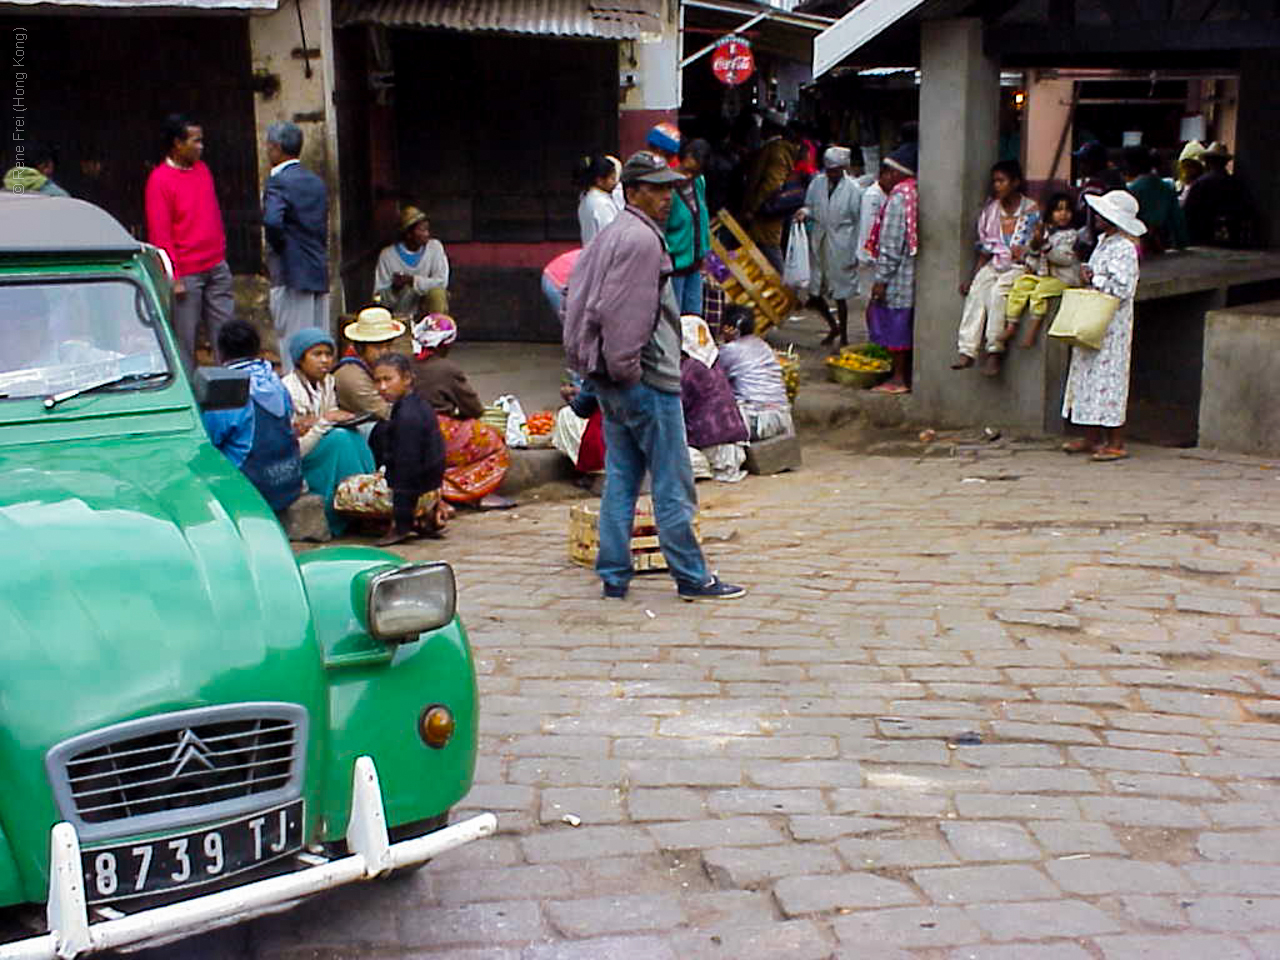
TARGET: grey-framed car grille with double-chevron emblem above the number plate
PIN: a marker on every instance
(180, 767)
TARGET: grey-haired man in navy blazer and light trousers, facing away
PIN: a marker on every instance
(296, 217)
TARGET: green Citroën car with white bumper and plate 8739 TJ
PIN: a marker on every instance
(196, 726)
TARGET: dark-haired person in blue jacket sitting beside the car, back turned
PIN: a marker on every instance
(258, 438)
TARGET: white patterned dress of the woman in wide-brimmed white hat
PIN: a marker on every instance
(1098, 385)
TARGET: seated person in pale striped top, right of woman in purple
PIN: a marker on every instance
(756, 376)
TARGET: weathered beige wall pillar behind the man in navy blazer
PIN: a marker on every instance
(301, 99)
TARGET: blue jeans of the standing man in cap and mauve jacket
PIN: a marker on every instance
(646, 429)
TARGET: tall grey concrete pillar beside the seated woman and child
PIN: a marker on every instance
(959, 131)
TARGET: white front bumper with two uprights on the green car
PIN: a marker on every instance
(71, 934)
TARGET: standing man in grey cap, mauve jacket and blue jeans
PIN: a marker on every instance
(623, 331)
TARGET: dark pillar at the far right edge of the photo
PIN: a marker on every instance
(1258, 148)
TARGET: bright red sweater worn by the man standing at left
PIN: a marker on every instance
(184, 217)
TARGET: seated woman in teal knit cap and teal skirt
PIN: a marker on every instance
(331, 452)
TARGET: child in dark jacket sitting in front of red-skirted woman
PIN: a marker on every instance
(410, 446)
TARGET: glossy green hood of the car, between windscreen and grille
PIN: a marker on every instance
(141, 575)
